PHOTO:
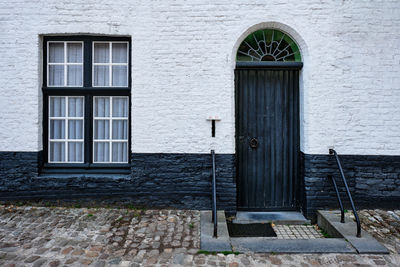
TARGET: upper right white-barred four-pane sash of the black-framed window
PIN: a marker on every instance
(110, 64)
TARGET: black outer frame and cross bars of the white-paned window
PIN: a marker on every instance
(88, 91)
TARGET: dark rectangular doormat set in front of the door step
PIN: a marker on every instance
(251, 230)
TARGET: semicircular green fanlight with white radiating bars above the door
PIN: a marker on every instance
(268, 45)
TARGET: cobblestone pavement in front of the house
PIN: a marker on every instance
(39, 236)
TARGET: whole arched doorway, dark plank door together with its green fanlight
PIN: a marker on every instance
(268, 63)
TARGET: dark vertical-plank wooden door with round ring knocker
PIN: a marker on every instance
(267, 138)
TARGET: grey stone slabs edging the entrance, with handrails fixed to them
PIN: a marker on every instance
(343, 241)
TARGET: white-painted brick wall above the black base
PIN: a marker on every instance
(182, 68)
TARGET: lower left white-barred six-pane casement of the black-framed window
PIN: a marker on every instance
(66, 129)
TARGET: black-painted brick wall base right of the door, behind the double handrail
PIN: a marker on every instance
(374, 181)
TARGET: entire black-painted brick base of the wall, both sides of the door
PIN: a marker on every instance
(184, 181)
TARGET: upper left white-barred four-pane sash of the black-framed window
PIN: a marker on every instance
(65, 64)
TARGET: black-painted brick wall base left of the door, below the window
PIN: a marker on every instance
(156, 180)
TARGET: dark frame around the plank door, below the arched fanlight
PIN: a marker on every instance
(268, 65)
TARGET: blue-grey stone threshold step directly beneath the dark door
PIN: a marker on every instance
(276, 217)
